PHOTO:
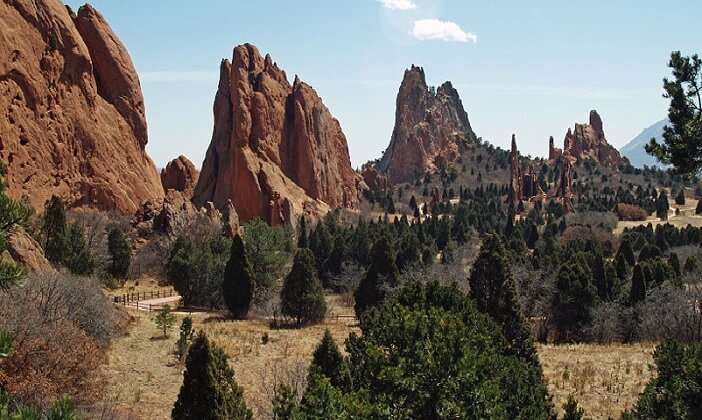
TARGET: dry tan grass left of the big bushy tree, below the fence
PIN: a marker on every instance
(145, 377)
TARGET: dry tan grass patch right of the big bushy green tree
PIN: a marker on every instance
(604, 379)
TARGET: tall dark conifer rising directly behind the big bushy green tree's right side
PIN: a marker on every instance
(493, 289)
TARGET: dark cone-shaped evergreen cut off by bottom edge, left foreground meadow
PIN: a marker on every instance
(209, 389)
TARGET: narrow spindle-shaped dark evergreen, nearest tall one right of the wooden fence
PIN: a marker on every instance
(238, 283)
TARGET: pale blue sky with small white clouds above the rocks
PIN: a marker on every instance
(532, 68)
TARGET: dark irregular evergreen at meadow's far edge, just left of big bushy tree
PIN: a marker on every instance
(382, 270)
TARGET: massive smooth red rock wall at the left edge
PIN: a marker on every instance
(71, 110)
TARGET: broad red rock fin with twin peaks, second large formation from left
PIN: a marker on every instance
(276, 150)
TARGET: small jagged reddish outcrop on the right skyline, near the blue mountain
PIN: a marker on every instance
(587, 141)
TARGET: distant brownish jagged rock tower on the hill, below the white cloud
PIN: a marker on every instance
(430, 126)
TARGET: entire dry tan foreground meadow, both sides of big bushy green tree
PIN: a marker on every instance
(145, 377)
